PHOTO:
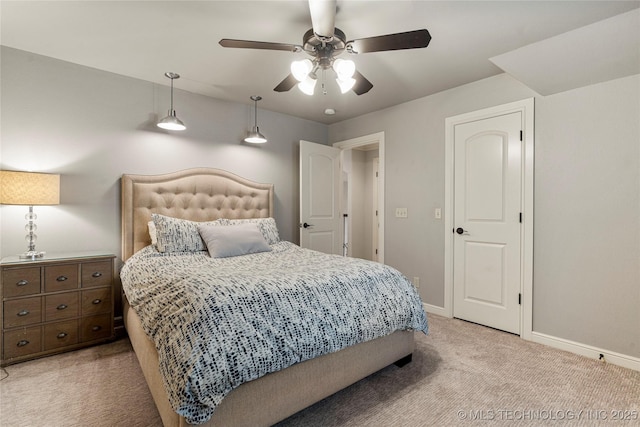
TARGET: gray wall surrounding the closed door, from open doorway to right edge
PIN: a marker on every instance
(587, 201)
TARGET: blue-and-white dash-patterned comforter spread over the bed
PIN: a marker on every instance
(218, 323)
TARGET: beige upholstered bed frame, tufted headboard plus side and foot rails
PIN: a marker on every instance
(204, 194)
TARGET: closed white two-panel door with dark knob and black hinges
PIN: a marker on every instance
(487, 221)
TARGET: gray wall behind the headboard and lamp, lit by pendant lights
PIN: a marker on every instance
(91, 126)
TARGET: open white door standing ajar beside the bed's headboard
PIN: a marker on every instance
(320, 221)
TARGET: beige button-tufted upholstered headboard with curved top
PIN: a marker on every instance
(200, 194)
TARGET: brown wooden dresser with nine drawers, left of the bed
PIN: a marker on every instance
(53, 304)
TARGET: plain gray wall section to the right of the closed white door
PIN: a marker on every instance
(587, 215)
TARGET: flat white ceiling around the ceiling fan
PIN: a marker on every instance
(145, 39)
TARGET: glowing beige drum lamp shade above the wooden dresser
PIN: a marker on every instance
(29, 188)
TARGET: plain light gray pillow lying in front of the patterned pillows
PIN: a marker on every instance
(233, 240)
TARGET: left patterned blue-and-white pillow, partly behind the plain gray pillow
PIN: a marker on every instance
(178, 235)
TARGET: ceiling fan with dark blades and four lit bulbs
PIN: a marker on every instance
(324, 43)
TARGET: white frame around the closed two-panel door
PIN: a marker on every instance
(526, 108)
